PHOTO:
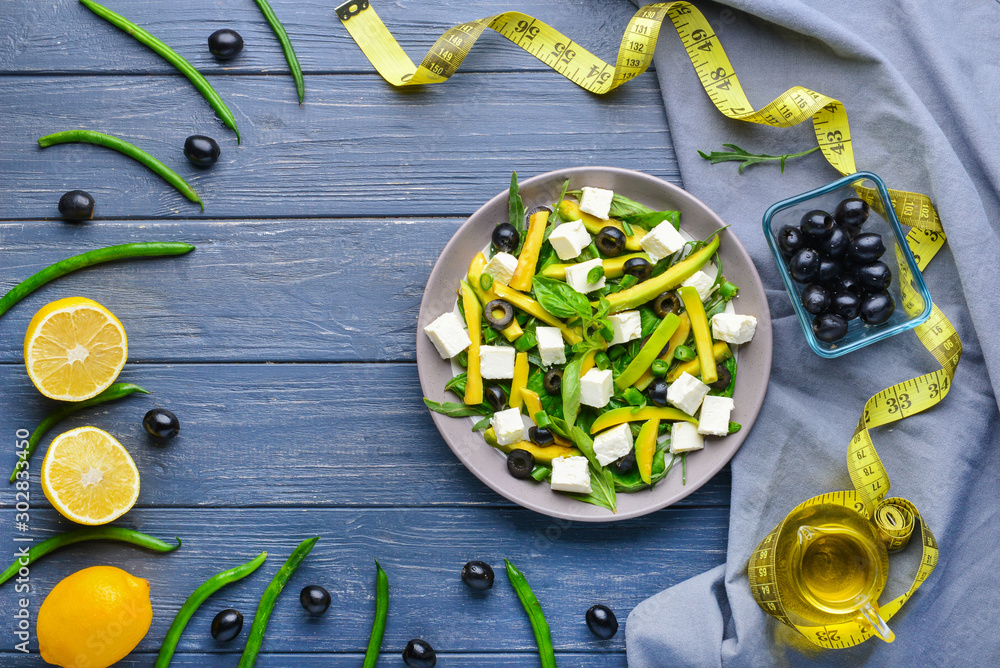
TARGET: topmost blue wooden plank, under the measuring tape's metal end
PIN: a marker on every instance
(65, 37)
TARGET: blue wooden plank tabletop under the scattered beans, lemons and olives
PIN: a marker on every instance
(285, 343)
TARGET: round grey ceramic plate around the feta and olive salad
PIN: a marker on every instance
(699, 221)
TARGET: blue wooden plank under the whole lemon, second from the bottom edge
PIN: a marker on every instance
(570, 568)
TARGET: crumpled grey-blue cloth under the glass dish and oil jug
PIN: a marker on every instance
(921, 82)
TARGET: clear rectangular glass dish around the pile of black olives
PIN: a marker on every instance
(881, 220)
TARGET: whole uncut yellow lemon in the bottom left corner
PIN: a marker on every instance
(94, 618)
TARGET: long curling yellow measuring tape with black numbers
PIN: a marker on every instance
(893, 518)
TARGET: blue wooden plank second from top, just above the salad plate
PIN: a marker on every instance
(357, 149)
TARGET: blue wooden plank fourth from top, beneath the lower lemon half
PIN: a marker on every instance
(281, 435)
